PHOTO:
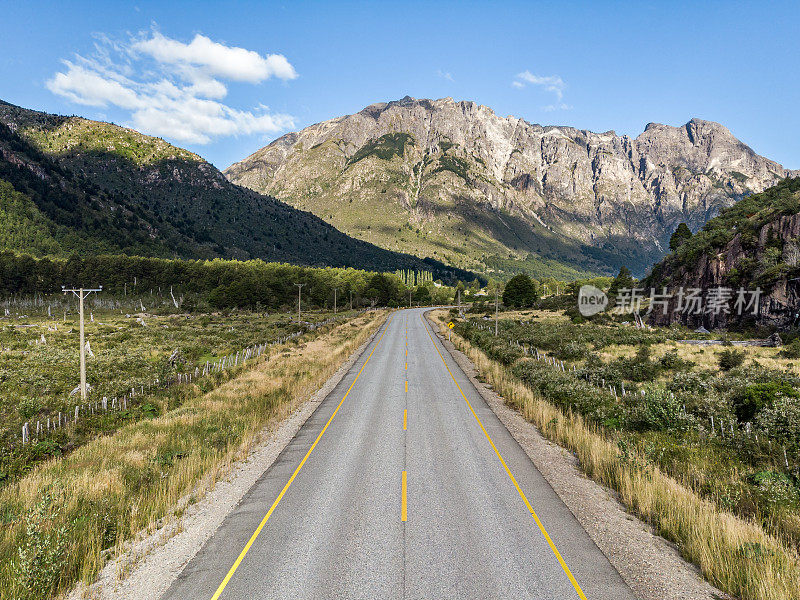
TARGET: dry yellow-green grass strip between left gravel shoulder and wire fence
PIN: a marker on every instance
(63, 520)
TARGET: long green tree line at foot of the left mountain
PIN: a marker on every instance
(224, 284)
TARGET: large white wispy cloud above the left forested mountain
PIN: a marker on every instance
(172, 89)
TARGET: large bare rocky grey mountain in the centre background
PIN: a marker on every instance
(477, 190)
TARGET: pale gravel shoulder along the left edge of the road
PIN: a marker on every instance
(155, 558)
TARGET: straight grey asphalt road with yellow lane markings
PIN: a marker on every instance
(402, 484)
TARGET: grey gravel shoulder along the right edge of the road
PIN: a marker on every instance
(650, 565)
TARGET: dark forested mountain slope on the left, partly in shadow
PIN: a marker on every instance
(69, 184)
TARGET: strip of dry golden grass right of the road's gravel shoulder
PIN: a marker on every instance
(733, 554)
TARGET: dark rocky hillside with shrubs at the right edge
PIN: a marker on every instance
(751, 245)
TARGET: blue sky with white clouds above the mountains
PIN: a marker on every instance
(223, 80)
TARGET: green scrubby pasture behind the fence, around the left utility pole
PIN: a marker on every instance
(39, 368)
